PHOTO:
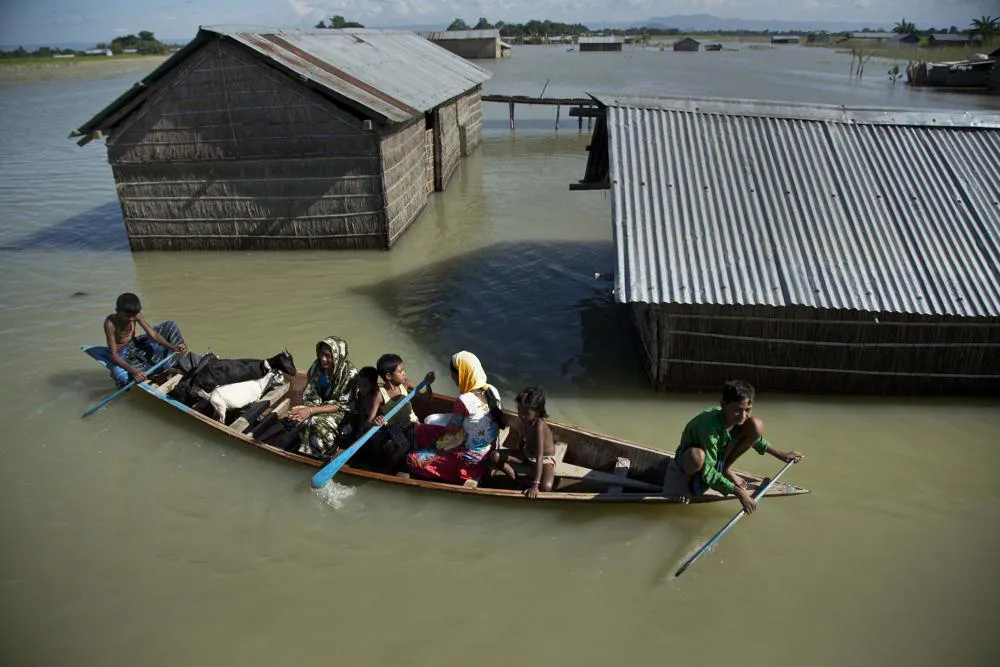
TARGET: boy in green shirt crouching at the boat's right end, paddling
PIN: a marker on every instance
(714, 439)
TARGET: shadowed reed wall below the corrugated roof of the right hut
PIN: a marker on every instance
(803, 349)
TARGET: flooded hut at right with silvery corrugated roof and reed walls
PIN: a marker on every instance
(805, 248)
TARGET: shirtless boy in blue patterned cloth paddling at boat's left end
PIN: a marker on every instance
(128, 354)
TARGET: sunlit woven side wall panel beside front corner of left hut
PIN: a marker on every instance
(404, 169)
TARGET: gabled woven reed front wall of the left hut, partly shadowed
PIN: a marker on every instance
(230, 153)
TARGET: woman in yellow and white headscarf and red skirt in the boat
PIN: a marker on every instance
(477, 417)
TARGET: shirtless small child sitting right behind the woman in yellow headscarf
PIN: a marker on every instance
(534, 443)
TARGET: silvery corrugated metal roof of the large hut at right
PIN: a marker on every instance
(755, 203)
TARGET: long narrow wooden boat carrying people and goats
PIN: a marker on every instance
(590, 467)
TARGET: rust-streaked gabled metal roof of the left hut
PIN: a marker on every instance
(392, 75)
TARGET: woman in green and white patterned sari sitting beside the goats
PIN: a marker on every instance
(326, 399)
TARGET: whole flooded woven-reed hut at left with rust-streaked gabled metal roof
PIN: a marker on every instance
(267, 139)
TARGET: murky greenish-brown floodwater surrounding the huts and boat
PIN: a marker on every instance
(134, 537)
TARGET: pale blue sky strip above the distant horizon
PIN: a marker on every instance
(91, 21)
